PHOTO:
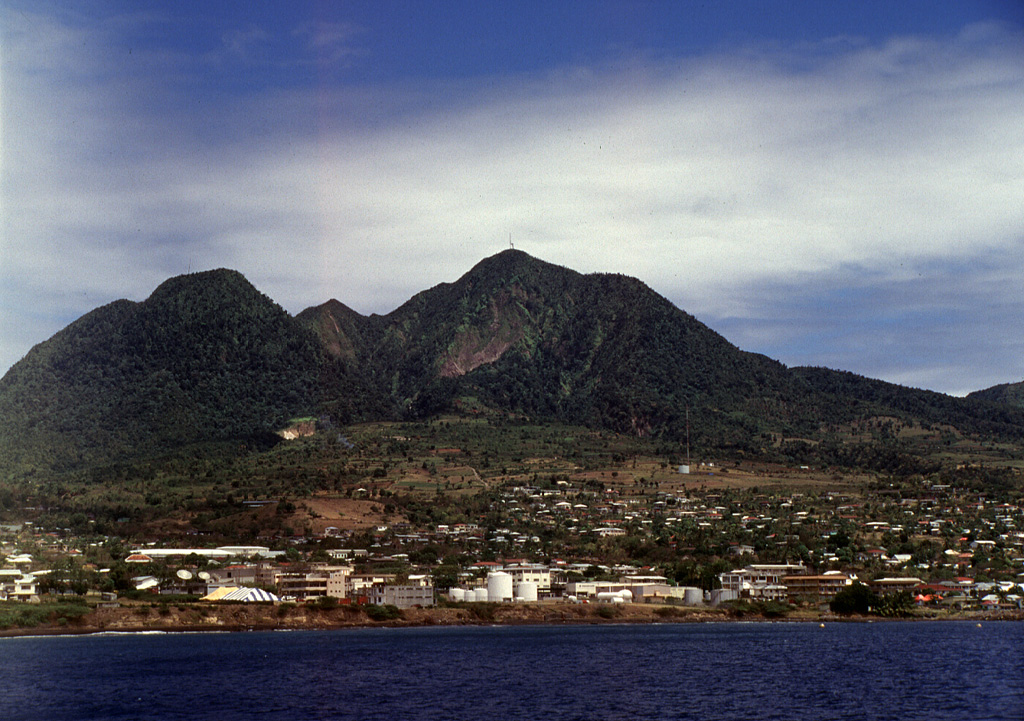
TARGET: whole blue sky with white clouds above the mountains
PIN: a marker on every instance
(829, 184)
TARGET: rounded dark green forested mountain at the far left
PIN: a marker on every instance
(205, 358)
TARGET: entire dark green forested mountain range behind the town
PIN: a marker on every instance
(208, 359)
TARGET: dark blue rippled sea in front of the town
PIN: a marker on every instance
(792, 671)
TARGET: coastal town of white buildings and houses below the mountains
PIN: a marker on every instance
(641, 531)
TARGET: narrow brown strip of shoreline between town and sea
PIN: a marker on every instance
(241, 618)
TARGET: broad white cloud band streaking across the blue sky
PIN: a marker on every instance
(707, 178)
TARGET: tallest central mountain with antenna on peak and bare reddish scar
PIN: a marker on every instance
(518, 334)
